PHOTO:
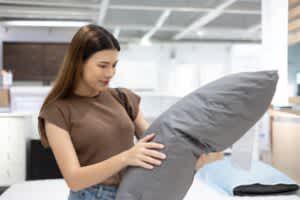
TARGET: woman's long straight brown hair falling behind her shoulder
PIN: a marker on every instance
(88, 40)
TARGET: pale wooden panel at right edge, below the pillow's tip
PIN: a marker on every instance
(285, 148)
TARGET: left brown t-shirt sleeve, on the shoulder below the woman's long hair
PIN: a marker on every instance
(55, 114)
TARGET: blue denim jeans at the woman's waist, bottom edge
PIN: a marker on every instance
(95, 192)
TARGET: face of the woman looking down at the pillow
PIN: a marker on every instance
(99, 69)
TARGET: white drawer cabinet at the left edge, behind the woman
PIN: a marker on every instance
(13, 132)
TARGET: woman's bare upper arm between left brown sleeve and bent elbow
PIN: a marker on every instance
(63, 150)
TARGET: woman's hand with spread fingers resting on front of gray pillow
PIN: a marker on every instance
(143, 155)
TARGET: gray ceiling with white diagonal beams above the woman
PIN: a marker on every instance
(154, 20)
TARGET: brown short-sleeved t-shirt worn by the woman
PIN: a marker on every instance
(99, 126)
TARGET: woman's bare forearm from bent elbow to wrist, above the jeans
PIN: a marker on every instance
(87, 176)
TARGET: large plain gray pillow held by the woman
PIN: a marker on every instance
(209, 119)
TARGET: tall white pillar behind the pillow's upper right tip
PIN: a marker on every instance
(275, 44)
